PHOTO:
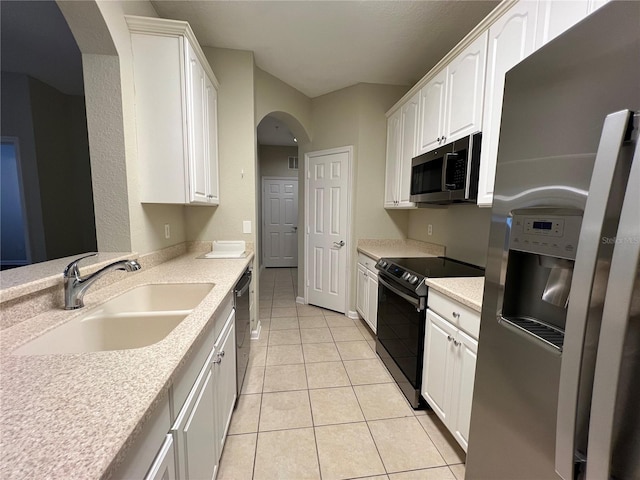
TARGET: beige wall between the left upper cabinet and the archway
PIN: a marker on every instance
(236, 151)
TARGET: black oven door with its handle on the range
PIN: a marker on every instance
(400, 336)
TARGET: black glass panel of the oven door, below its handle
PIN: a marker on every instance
(401, 332)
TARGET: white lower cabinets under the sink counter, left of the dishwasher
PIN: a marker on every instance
(202, 398)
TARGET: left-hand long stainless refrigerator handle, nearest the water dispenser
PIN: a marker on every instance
(602, 210)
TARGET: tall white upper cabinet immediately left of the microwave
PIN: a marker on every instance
(402, 129)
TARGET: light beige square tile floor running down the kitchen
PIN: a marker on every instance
(317, 403)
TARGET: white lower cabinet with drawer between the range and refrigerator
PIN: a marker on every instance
(449, 365)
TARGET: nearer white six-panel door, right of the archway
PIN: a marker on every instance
(326, 220)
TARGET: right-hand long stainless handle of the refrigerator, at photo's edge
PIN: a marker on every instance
(615, 321)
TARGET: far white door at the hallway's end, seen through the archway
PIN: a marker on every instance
(280, 222)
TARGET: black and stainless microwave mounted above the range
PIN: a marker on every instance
(448, 174)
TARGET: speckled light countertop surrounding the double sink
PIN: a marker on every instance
(74, 416)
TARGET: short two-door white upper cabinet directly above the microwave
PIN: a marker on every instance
(451, 102)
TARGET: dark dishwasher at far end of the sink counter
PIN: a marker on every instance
(241, 300)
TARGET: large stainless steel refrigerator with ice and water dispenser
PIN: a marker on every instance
(557, 385)
